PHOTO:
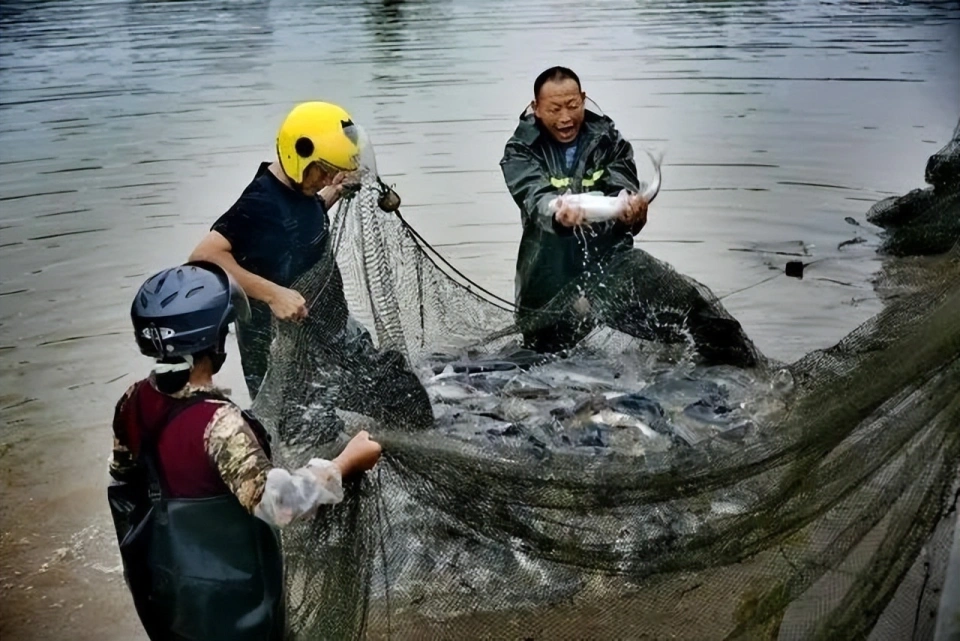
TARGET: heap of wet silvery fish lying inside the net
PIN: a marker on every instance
(591, 404)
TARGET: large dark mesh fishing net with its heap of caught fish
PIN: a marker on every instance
(628, 487)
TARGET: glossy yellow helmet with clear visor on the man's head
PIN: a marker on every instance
(317, 132)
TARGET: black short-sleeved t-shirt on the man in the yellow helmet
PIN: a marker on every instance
(275, 232)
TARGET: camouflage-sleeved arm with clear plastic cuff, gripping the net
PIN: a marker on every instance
(274, 494)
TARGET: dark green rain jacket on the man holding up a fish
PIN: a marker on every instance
(551, 256)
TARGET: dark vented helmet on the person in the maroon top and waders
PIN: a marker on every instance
(184, 310)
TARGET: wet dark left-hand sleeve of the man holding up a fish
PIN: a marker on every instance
(528, 181)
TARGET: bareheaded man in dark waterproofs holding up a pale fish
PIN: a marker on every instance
(575, 181)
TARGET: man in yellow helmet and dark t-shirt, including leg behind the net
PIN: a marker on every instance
(277, 231)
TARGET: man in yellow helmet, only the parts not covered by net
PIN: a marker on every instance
(278, 228)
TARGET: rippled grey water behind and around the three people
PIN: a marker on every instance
(127, 127)
